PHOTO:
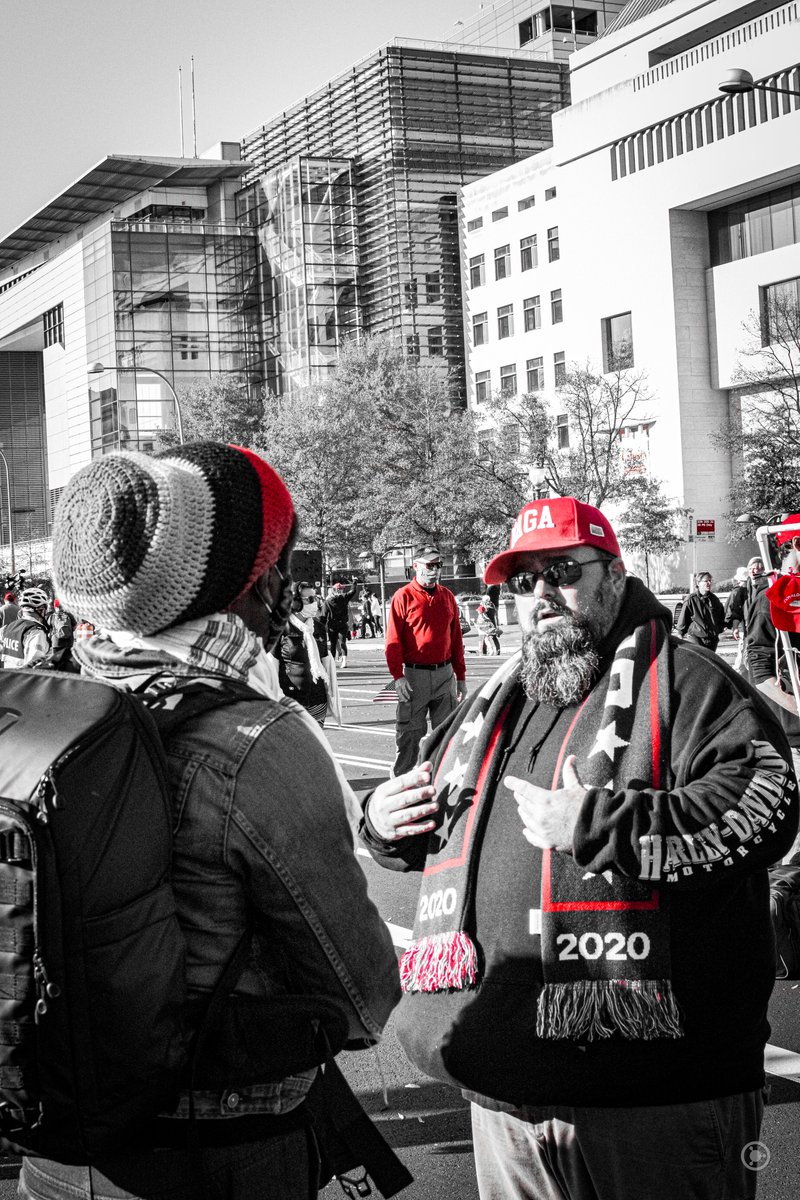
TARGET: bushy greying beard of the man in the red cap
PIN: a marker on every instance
(560, 667)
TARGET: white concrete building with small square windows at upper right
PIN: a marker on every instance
(677, 211)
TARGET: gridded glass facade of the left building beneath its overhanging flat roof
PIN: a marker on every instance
(178, 299)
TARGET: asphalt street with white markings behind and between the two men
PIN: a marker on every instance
(429, 1124)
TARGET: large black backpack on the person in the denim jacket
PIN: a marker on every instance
(93, 983)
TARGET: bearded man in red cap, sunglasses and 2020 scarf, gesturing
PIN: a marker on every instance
(593, 955)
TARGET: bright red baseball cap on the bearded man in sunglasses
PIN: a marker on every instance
(558, 524)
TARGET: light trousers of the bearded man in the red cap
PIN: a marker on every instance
(700, 1151)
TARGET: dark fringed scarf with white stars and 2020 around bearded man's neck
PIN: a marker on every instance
(605, 940)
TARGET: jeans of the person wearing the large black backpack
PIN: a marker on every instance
(284, 1168)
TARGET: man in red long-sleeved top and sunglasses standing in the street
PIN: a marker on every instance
(425, 653)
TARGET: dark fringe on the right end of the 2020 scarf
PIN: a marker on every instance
(597, 1009)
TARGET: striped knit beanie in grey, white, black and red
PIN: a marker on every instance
(145, 543)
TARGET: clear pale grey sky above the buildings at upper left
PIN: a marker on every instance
(89, 79)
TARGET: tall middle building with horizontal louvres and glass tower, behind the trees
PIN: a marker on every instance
(407, 127)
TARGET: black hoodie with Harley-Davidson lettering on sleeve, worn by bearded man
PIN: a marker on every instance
(485, 1041)
